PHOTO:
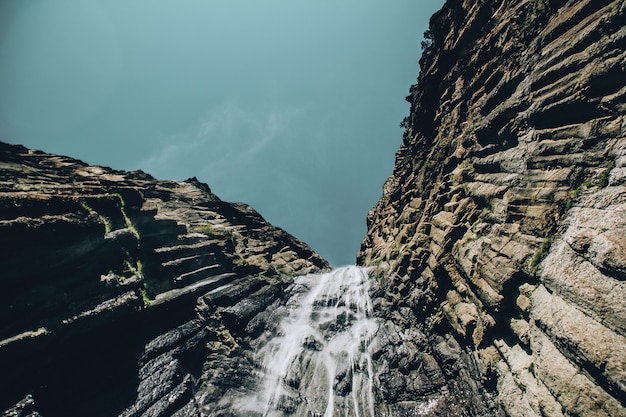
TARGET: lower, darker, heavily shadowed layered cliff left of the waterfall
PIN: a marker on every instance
(124, 295)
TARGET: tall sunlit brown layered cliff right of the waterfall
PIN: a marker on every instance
(501, 232)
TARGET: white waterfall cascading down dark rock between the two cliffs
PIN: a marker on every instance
(318, 363)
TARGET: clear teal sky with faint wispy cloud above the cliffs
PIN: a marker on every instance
(291, 106)
